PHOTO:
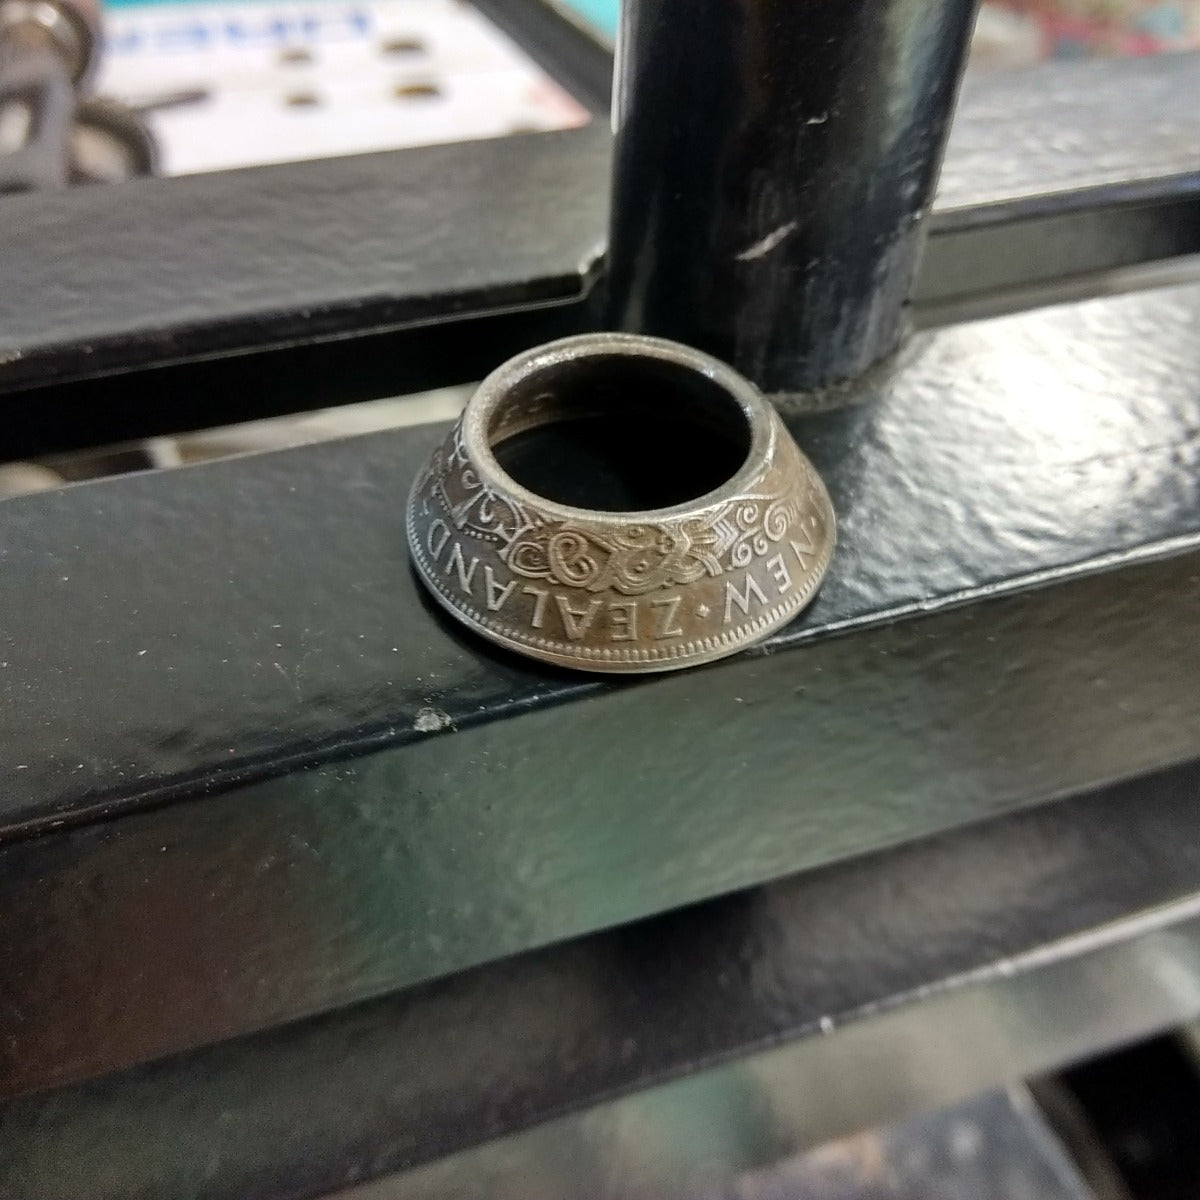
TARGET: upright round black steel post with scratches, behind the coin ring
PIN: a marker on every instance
(775, 163)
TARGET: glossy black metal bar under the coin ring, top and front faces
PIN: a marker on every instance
(243, 647)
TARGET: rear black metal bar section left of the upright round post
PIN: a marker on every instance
(158, 272)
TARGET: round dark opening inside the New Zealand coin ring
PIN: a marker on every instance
(620, 434)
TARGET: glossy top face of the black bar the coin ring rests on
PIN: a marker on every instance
(1036, 506)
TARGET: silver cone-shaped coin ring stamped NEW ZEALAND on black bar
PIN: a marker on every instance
(620, 592)
